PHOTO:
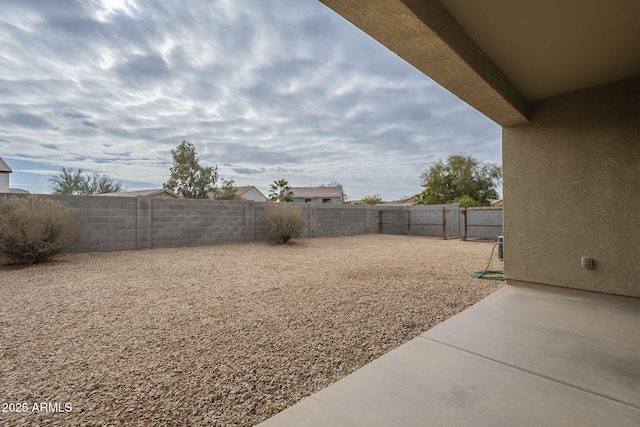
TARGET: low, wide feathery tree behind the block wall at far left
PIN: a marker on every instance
(77, 182)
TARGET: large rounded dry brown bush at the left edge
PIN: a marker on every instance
(32, 229)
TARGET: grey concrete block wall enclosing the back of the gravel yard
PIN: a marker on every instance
(122, 223)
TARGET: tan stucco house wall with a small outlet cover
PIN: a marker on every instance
(572, 189)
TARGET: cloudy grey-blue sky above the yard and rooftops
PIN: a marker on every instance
(265, 89)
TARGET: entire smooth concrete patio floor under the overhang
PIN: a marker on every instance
(525, 357)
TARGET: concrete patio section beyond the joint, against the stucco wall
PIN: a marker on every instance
(583, 339)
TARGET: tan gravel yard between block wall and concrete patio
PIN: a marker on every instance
(221, 335)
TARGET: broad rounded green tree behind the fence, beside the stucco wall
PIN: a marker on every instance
(461, 179)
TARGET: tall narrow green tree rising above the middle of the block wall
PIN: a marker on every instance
(188, 178)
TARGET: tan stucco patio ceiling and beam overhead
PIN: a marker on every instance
(501, 55)
